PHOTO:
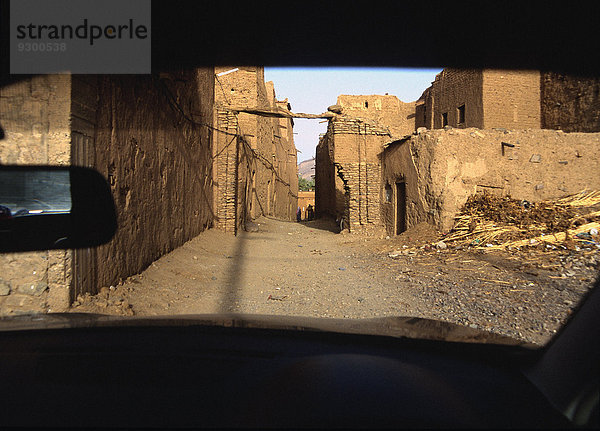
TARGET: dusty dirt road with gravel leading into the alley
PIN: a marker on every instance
(307, 269)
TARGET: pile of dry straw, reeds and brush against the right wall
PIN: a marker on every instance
(491, 221)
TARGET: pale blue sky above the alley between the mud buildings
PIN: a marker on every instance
(312, 90)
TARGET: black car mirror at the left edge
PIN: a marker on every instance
(52, 207)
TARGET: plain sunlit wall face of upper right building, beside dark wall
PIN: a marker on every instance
(511, 99)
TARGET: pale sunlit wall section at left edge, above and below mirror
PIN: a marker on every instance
(34, 114)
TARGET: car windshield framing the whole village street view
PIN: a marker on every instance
(464, 196)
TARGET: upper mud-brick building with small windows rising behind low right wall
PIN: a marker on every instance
(510, 99)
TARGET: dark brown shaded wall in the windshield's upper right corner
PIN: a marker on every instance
(570, 103)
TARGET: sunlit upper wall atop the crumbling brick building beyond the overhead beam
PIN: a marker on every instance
(385, 110)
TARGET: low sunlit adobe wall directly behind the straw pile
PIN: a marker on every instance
(442, 168)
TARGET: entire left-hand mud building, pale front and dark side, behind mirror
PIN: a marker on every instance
(147, 135)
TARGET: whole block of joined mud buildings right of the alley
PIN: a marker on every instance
(427, 176)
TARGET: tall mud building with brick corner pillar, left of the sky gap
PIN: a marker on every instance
(254, 162)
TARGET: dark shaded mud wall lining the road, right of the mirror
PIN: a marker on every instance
(158, 164)
